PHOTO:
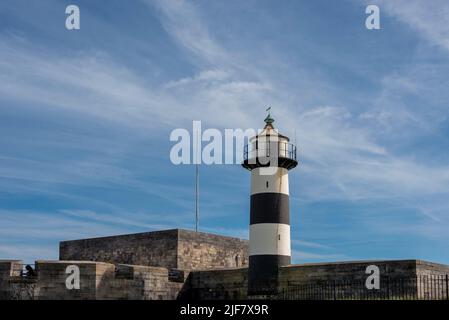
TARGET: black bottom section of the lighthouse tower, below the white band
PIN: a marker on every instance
(263, 273)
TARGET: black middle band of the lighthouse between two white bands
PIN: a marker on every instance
(269, 208)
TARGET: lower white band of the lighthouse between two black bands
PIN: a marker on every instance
(269, 238)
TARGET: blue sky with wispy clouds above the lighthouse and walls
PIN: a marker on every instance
(85, 119)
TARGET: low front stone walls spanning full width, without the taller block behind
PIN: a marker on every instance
(108, 281)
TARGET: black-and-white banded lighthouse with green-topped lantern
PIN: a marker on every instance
(269, 156)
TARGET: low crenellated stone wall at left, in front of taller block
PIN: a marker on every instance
(98, 281)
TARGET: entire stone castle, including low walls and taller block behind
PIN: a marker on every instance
(181, 264)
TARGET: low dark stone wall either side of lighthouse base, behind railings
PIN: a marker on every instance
(341, 280)
